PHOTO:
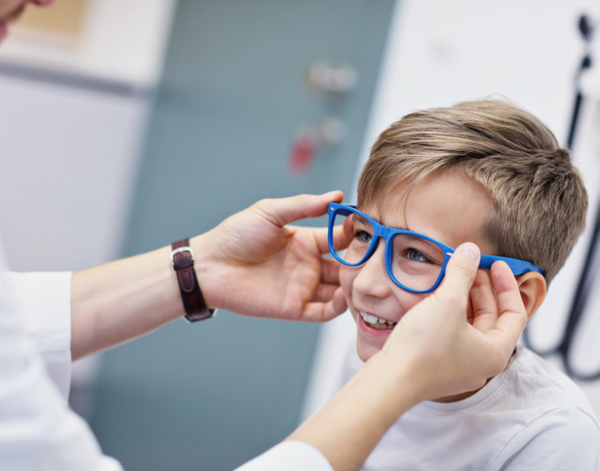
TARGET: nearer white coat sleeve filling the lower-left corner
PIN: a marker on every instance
(37, 429)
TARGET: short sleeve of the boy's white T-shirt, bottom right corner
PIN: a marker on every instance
(564, 438)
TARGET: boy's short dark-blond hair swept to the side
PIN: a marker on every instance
(539, 197)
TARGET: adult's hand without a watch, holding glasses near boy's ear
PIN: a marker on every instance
(454, 355)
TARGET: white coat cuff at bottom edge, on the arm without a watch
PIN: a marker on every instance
(289, 456)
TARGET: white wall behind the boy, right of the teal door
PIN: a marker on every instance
(441, 52)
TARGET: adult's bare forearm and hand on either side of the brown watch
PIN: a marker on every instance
(251, 264)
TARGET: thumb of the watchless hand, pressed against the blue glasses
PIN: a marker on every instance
(461, 271)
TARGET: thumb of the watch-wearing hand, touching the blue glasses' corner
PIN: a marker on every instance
(283, 211)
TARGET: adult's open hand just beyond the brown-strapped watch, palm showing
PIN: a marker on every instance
(255, 264)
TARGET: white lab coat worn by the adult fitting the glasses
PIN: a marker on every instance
(38, 431)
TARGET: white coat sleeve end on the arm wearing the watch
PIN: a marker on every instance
(44, 299)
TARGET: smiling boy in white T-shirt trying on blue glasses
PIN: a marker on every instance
(490, 173)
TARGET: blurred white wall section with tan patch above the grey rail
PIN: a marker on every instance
(99, 39)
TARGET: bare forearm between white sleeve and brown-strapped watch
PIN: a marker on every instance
(122, 300)
